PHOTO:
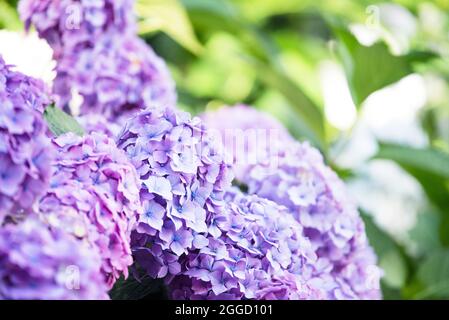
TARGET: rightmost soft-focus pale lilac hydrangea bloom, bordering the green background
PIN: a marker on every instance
(317, 199)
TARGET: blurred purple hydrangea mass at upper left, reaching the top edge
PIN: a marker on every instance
(99, 56)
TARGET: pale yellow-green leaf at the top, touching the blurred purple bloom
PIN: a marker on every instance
(170, 17)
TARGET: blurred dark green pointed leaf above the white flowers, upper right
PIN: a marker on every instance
(369, 69)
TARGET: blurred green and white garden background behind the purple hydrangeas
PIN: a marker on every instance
(364, 81)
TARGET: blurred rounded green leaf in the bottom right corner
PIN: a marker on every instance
(433, 274)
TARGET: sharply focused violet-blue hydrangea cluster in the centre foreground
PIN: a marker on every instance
(206, 239)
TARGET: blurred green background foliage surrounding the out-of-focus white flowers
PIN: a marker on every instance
(267, 53)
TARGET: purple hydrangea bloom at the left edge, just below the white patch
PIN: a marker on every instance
(25, 151)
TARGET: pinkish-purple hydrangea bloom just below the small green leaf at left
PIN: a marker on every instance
(94, 195)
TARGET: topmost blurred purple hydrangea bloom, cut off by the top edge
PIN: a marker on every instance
(68, 24)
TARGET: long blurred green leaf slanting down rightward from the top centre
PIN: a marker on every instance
(262, 54)
